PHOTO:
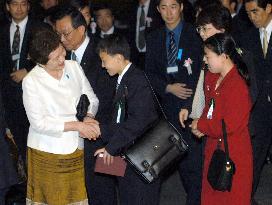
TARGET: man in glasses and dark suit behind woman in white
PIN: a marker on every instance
(71, 26)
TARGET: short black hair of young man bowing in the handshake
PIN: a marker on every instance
(114, 44)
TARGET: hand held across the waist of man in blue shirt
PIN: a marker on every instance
(179, 90)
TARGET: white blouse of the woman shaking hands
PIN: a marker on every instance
(49, 103)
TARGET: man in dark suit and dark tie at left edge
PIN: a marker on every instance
(14, 45)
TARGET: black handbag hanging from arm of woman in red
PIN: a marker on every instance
(221, 168)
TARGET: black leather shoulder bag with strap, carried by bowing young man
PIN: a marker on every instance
(157, 149)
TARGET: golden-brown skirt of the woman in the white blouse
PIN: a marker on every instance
(56, 179)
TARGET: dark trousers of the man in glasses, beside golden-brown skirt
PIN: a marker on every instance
(100, 187)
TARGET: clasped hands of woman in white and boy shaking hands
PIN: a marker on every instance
(89, 129)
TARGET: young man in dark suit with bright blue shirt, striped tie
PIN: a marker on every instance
(174, 71)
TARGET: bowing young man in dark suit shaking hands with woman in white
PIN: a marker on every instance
(134, 111)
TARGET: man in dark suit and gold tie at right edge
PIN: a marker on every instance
(259, 42)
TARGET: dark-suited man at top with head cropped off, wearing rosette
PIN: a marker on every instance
(152, 21)
